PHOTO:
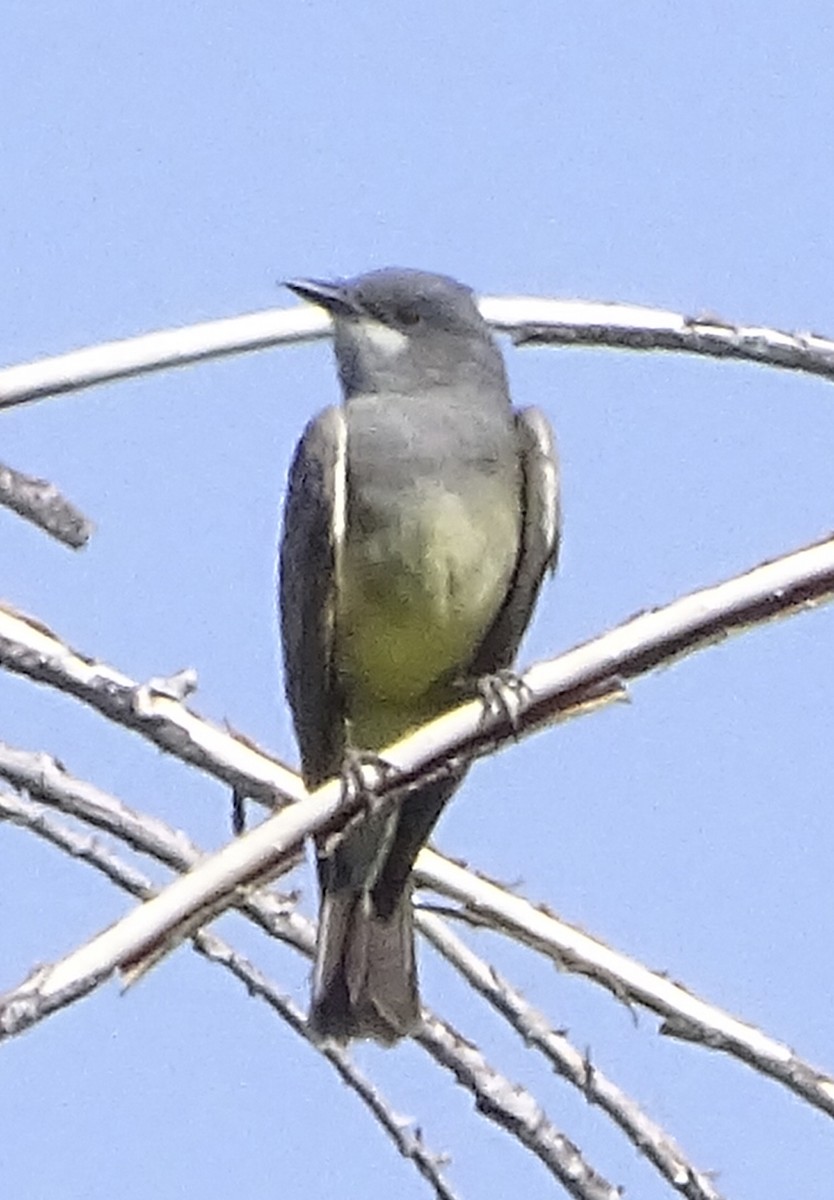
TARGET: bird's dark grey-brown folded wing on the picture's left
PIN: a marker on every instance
(308, 595)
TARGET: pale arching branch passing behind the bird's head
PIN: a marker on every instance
(530, 320)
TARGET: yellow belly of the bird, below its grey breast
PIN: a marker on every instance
(415, 607)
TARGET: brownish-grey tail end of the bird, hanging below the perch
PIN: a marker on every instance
(365, 982)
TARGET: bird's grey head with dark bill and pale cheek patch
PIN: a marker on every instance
(398, 331)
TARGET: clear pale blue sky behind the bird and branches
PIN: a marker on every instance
(165, 165)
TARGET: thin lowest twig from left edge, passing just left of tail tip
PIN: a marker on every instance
(407, 1141)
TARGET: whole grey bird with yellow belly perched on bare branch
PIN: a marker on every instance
(421, 519)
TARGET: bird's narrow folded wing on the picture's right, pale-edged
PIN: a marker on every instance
(542, 521)
